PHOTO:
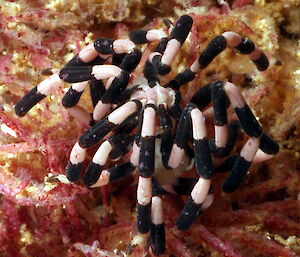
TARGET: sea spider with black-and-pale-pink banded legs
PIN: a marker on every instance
(125, 120)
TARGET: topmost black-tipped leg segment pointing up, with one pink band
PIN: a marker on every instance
(179, 33)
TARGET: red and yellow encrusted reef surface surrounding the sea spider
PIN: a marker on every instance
(40, 216)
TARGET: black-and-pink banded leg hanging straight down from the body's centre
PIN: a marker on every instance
(146, 168)
